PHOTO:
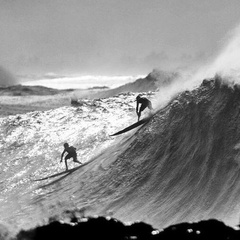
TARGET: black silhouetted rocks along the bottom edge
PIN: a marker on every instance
(110, 228)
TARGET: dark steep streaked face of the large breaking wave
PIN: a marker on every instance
(184, 164)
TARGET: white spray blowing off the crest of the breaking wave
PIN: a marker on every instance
(225, 64)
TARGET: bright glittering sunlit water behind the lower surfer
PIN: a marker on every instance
(31, 146)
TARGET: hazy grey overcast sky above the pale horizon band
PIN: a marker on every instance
(112, 37)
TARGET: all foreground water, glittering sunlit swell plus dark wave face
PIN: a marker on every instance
(183, 165)
